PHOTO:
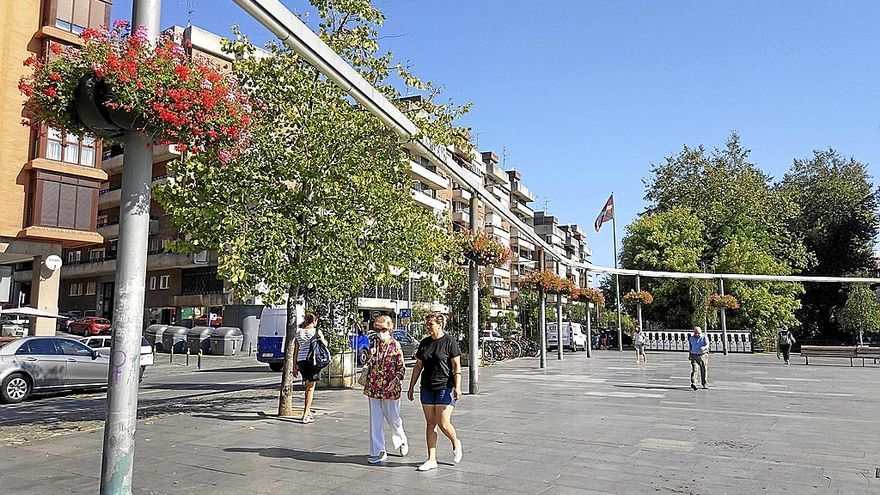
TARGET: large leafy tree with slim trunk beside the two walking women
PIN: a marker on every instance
(319, 205)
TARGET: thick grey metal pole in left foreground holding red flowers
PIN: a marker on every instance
(117, 461)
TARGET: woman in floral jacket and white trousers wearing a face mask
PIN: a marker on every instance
(386, 370)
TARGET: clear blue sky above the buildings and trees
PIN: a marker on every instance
(585, 96)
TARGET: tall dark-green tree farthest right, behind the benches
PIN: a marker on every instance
(837, 215)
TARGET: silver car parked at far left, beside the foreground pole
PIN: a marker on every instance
(44, 364)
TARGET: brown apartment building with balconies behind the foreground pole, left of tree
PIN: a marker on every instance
(178, 287)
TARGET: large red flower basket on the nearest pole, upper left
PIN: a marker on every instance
(117, 81)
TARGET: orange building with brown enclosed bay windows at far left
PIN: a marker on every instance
(49, 180)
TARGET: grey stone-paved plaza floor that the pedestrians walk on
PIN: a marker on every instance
(602, 425)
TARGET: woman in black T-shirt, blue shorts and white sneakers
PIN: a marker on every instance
(438, 362)
